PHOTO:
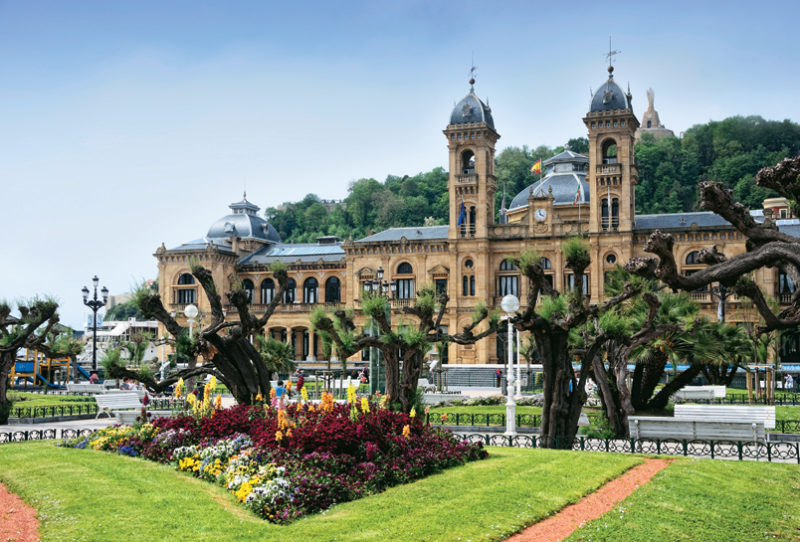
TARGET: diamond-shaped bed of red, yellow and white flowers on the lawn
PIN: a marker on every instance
(285, 463)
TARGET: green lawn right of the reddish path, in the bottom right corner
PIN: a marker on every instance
(707, 500)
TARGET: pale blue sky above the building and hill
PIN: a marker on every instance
(126, 124)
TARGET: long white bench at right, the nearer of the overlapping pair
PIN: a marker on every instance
(654, 427)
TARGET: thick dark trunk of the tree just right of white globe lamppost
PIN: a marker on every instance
(562, 405)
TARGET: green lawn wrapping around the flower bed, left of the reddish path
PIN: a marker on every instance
(87, 495)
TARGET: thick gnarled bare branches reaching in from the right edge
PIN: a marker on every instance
(766, 247)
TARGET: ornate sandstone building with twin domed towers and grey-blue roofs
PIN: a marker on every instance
(592, 196)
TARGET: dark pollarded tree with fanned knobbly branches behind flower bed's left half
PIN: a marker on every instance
(225, 346)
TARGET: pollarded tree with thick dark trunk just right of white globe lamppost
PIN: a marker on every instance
(552, 324)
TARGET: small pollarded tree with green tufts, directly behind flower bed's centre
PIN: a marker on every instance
(403, 348)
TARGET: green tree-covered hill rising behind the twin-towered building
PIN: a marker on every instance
(731, 151)
